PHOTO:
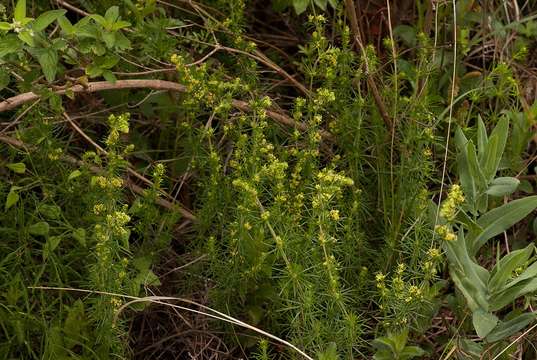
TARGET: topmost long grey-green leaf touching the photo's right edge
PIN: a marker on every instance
(500, 219)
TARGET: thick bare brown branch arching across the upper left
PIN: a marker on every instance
(97, 86)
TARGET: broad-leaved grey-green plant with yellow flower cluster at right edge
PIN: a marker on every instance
(467, 225)
